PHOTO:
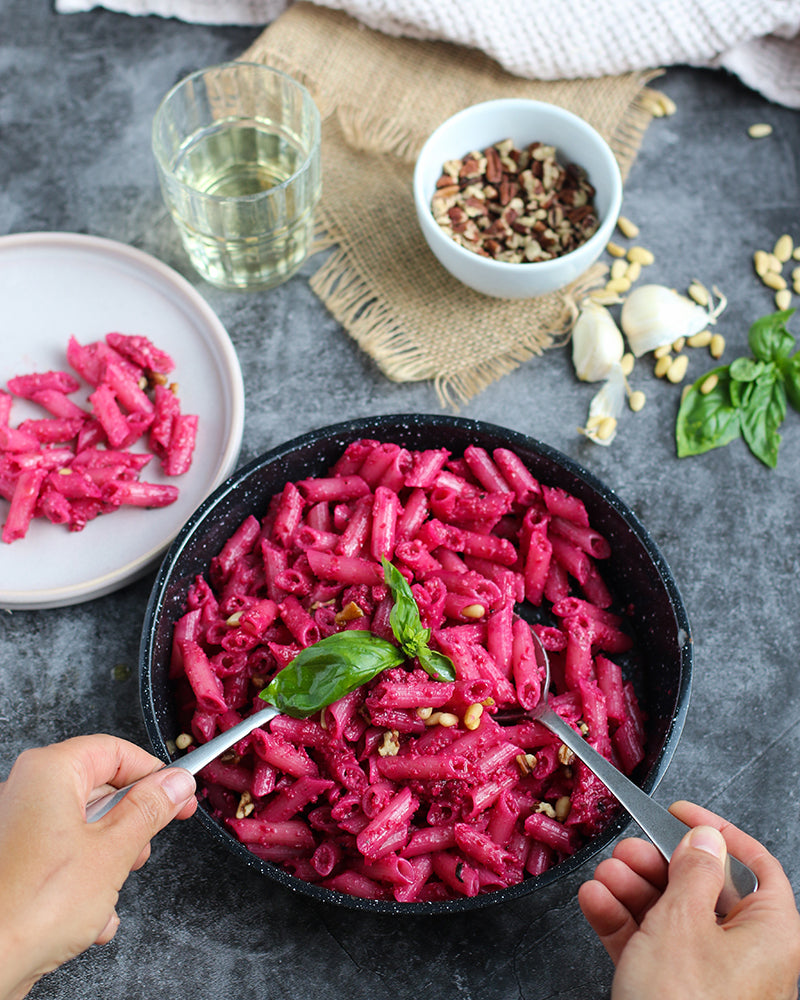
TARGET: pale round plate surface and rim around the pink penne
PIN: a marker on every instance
(53, 285)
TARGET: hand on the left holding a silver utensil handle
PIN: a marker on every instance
(60, 876)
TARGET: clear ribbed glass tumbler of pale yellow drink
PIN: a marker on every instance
(237, 150)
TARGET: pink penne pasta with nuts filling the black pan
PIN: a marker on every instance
(408, 789)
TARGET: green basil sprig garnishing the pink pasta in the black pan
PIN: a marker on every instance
(329, 669)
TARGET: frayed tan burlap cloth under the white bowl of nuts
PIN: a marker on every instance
(380, 97)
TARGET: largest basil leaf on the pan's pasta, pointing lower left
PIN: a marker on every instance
(328, 670)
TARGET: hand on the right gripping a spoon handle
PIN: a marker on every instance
(659, 927)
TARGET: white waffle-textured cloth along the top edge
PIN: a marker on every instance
(758, 40)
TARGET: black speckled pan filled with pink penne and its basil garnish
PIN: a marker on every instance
(440, 542)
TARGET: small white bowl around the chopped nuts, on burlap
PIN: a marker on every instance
(524, 122)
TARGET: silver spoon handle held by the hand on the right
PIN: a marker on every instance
(665, 830)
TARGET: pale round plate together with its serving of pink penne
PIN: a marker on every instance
(121, 409)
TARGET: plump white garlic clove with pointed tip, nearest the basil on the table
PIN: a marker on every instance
(654, 316)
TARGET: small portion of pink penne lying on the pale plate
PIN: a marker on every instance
(71, 464)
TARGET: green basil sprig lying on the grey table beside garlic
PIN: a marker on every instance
(750, 397)
